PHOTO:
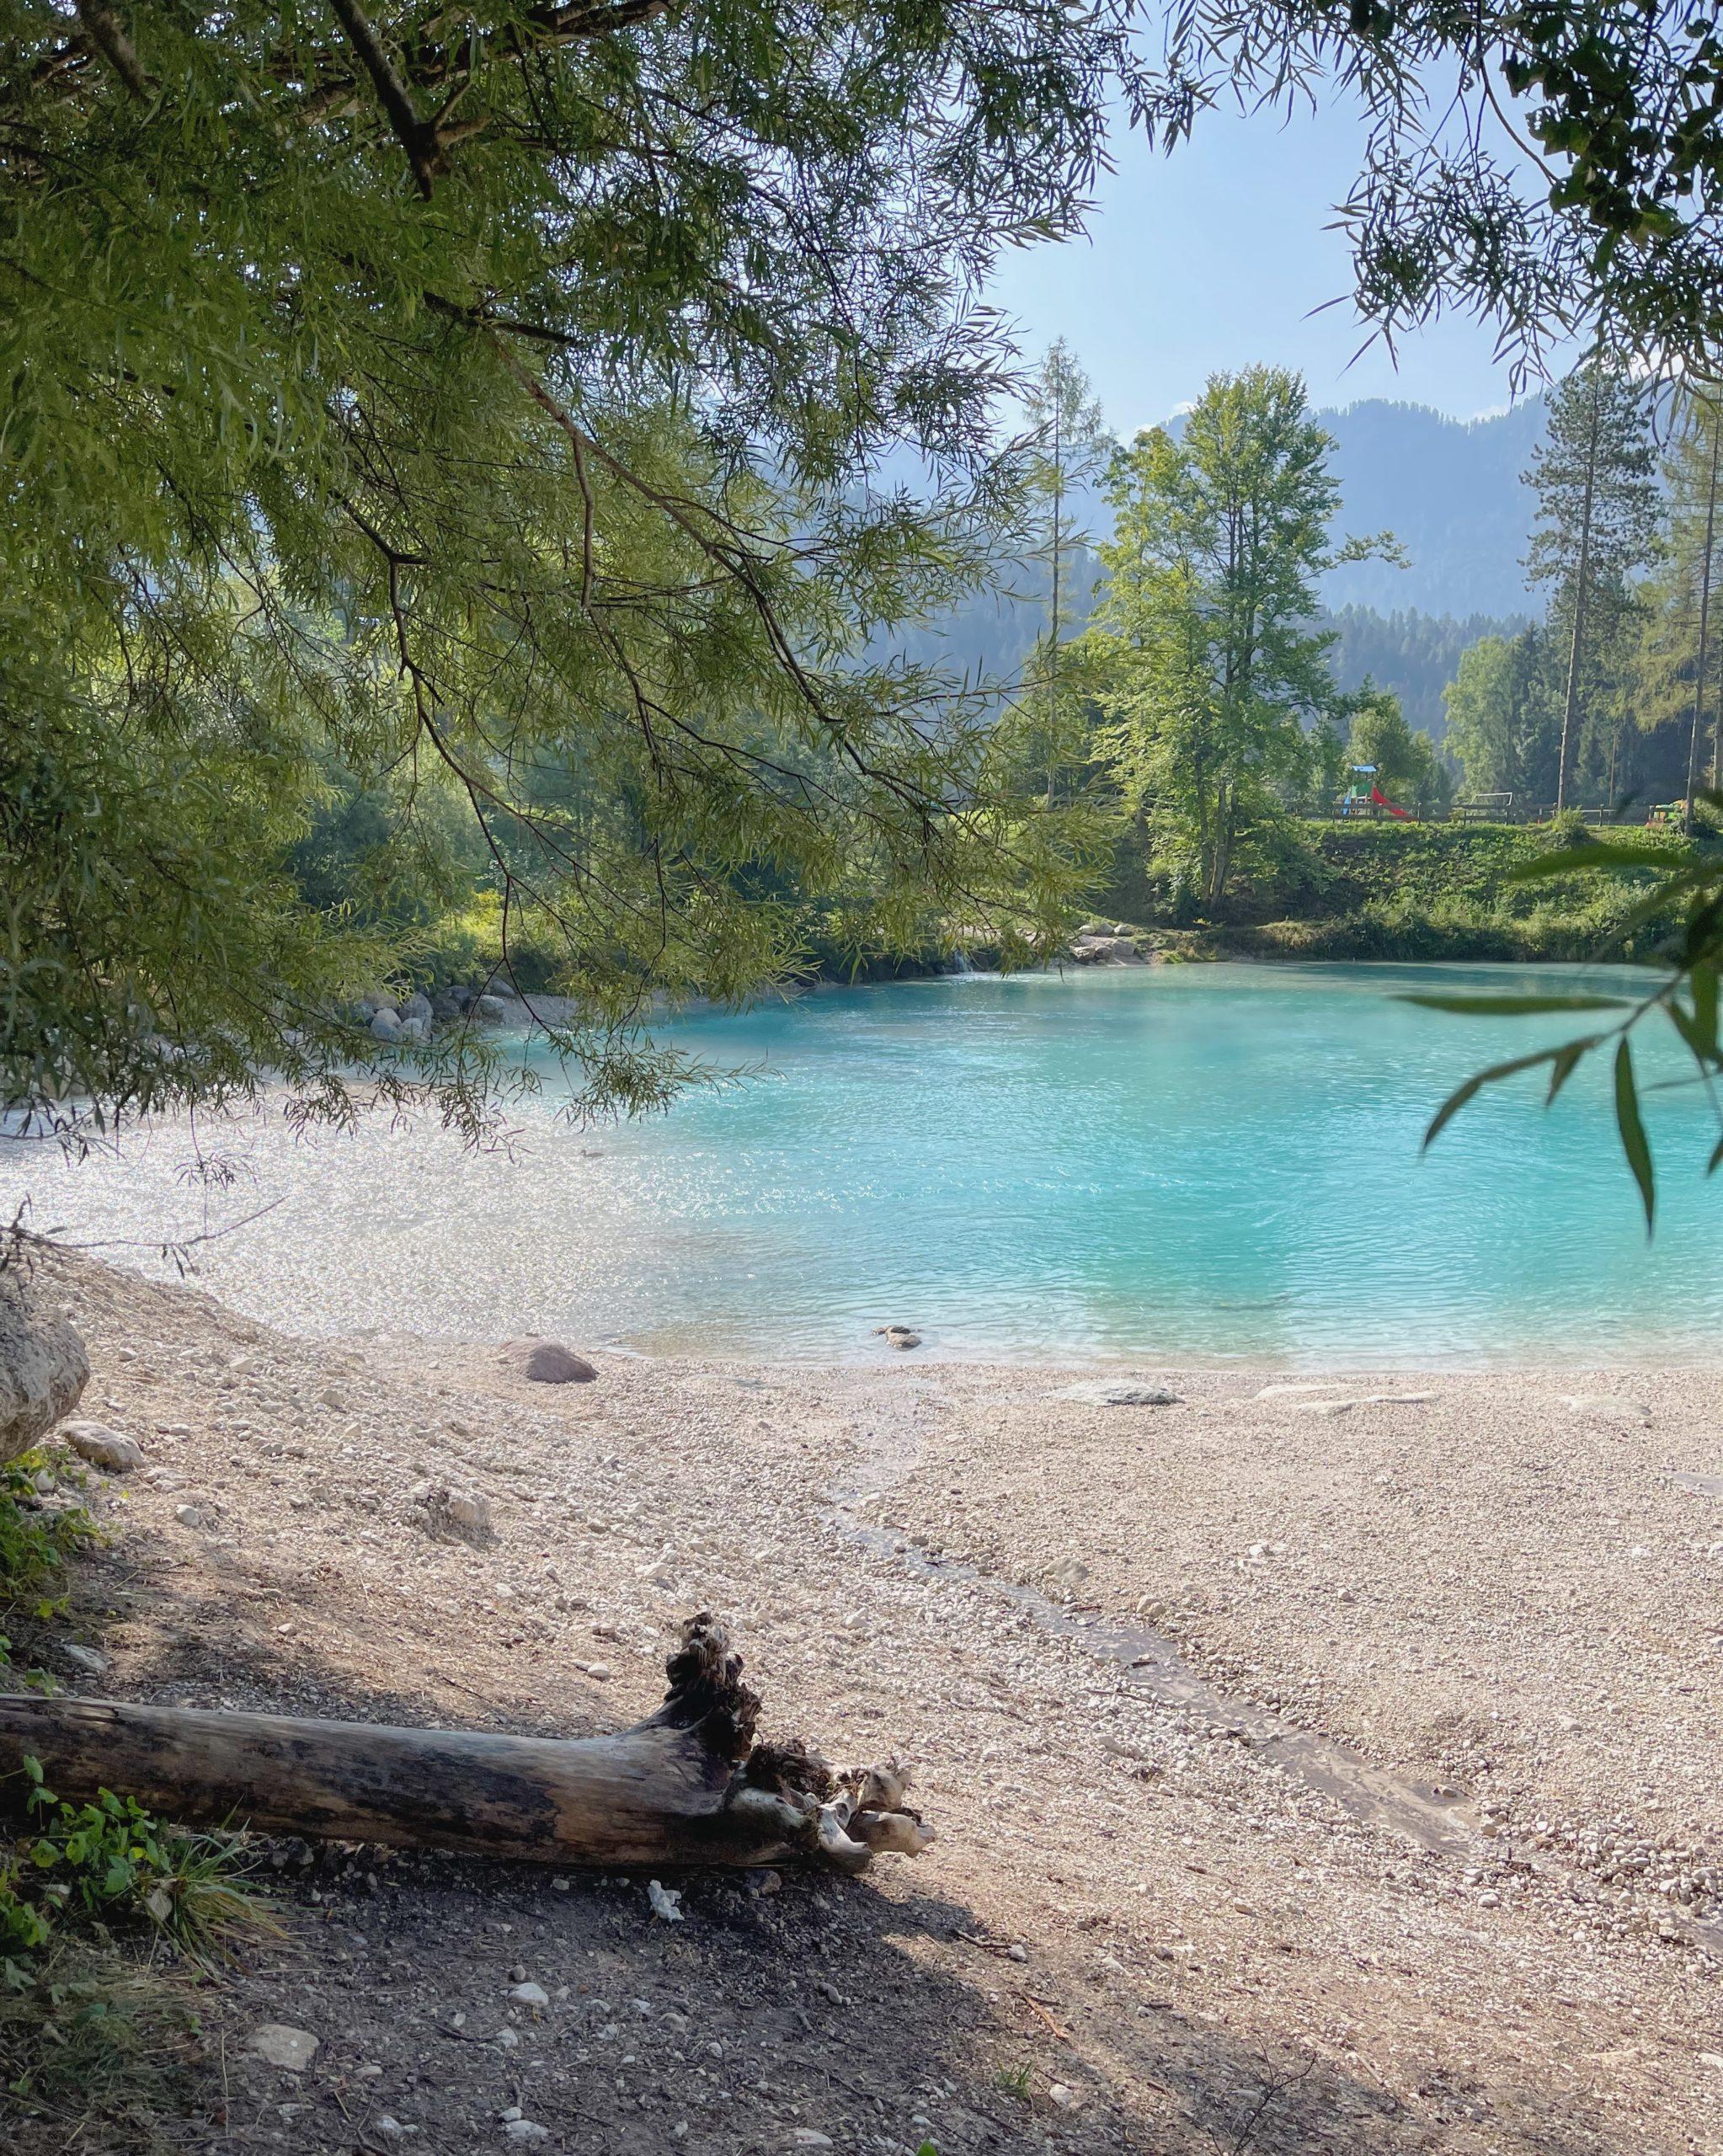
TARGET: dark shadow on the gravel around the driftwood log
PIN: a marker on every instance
(784, 2013)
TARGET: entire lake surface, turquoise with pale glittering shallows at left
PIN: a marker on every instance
(1170, 1165)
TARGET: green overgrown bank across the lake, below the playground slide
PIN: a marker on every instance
(1411, 892)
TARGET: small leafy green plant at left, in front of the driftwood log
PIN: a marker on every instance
(113, 1860)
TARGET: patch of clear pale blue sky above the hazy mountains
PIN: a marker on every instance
(1217, 258)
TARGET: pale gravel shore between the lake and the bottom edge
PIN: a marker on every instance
(1308, 1765)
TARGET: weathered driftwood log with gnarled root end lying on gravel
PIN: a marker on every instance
(689, 1786)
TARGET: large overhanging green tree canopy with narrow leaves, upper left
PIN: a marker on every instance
(491, 413)
